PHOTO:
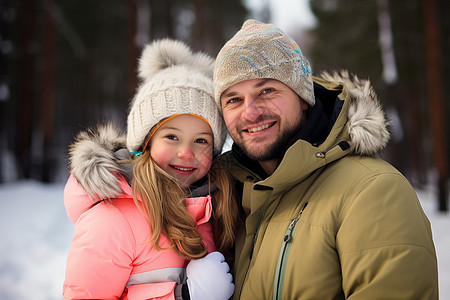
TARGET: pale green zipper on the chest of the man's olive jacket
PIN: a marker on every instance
(283, 256)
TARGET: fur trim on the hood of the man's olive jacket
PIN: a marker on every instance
(367, 122)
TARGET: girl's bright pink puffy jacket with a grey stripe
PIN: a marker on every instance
(109, 257)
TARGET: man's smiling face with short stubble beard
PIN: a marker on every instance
(261, 116)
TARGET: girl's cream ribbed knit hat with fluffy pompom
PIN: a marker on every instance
(175, 80)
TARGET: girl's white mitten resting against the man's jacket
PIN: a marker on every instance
(209, 278)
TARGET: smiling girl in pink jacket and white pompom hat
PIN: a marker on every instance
(151, 212)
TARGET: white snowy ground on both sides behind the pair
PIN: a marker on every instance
(35, 235)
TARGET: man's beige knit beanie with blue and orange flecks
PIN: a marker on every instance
(260, 50)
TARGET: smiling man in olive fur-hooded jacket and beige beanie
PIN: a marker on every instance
(324, 218)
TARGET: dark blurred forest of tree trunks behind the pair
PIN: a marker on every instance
(66, 65)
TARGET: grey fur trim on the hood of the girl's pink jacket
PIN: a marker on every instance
(92, 160)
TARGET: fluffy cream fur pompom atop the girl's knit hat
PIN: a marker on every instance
(165, 53)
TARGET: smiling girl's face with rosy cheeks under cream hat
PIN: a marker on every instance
(183, 147)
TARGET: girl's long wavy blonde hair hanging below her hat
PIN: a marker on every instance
(162, 200)
